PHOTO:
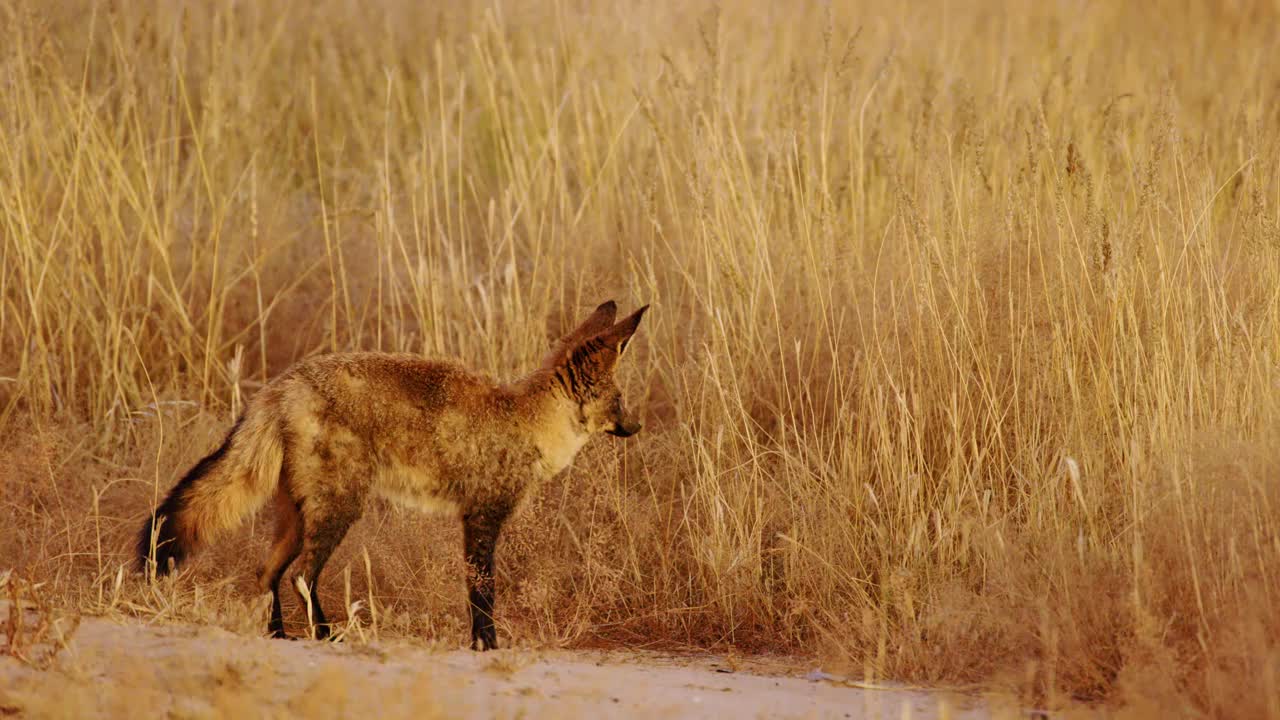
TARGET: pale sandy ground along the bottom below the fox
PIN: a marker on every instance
(136, 671)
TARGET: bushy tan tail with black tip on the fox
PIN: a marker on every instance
(216, 495)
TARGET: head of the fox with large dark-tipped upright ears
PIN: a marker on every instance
(583, 363)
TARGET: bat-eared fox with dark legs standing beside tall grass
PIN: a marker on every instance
(335, 431)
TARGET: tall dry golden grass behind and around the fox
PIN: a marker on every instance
(963, 362)
